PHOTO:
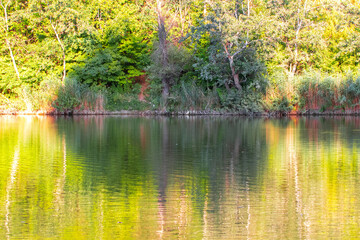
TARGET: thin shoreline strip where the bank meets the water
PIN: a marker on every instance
(187, 113)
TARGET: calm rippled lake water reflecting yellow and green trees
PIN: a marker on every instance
(179, 178)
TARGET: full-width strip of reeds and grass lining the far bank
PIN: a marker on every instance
(310, 93)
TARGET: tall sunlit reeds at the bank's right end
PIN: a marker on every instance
(315, 91)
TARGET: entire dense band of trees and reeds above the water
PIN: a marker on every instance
(273, 55)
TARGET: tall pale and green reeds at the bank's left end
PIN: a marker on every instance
(53, 95)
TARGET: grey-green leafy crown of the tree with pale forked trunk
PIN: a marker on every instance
(216, 38)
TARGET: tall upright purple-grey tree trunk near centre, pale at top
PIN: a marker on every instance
(163, 49)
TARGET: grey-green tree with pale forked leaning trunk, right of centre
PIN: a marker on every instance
(231, 35)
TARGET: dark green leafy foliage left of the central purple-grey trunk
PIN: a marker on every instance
(114, 59)
